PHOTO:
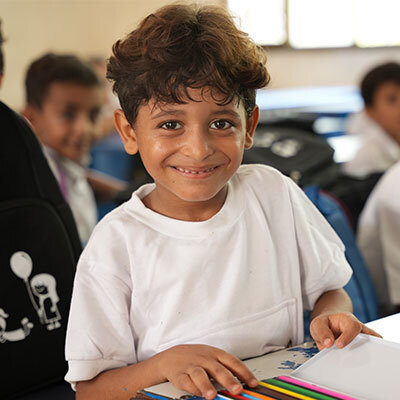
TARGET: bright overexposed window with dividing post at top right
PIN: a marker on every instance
(320, 23)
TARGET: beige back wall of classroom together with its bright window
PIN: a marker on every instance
(309, 42)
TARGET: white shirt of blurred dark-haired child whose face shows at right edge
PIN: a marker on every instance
(378, 151)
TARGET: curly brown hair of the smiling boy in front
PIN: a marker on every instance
(183, 46)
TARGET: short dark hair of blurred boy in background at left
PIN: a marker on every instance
(51, 68)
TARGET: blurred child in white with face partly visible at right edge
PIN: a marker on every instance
(378, 125)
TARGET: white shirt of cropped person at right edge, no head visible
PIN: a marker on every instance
(379, 236)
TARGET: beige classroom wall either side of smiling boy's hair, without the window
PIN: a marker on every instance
(90, 27)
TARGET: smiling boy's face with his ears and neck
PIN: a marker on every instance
(191, 150)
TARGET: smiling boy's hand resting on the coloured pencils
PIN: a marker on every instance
(190, 367)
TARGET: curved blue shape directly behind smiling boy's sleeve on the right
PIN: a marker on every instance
(360, 287)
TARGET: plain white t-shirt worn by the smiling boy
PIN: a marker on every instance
(238, 281)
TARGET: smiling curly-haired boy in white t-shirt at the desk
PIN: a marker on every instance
(213, 262)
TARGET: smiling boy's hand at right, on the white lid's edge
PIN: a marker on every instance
(344, 327)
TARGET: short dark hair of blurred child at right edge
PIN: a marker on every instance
(376, 77)
